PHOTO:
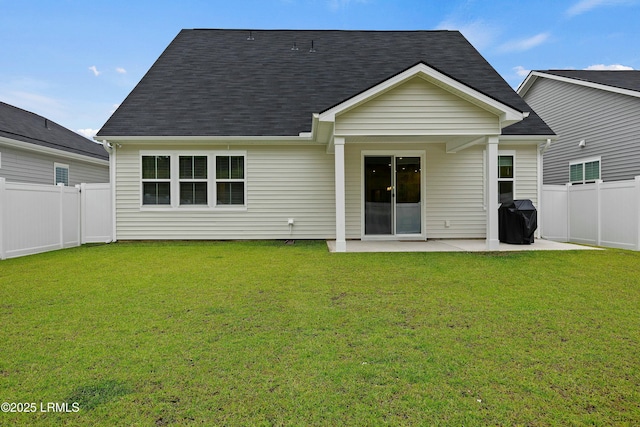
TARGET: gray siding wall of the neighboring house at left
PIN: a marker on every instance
(35, 168)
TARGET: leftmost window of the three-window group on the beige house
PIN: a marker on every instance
(156, 180)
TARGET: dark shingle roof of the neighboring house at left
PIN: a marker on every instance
(21, 125)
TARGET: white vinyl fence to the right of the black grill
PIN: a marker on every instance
(602, 214)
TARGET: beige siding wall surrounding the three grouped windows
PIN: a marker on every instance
(282, 182)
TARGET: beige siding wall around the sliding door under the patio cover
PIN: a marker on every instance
(454, 187)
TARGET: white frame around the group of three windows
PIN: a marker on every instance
(175, 180)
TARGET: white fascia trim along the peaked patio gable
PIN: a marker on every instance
(508, 114)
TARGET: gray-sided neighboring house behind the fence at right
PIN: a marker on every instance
(596, 115)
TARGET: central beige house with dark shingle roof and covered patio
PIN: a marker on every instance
(321, 135)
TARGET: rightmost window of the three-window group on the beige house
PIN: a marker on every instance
(230, 180)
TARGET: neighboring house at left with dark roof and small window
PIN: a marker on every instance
(36, 150)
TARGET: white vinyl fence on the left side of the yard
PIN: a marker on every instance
(38, 218)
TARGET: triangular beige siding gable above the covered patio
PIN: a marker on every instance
(417, 108)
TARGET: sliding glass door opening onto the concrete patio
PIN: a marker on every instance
(392, 195)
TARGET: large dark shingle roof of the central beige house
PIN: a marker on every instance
(218, 83)
